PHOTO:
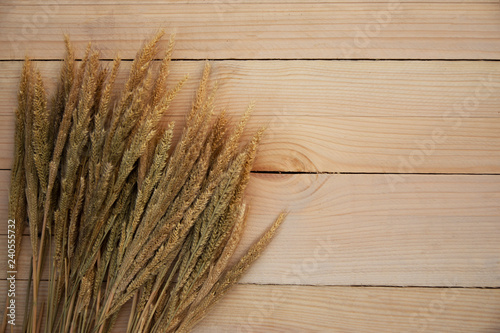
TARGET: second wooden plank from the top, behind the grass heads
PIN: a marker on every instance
(332, 122)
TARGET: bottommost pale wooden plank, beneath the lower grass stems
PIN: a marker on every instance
(252, 308)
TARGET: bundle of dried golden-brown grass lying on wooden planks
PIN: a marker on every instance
(119, 213)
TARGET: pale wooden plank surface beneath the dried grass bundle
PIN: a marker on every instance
(393, 250)
